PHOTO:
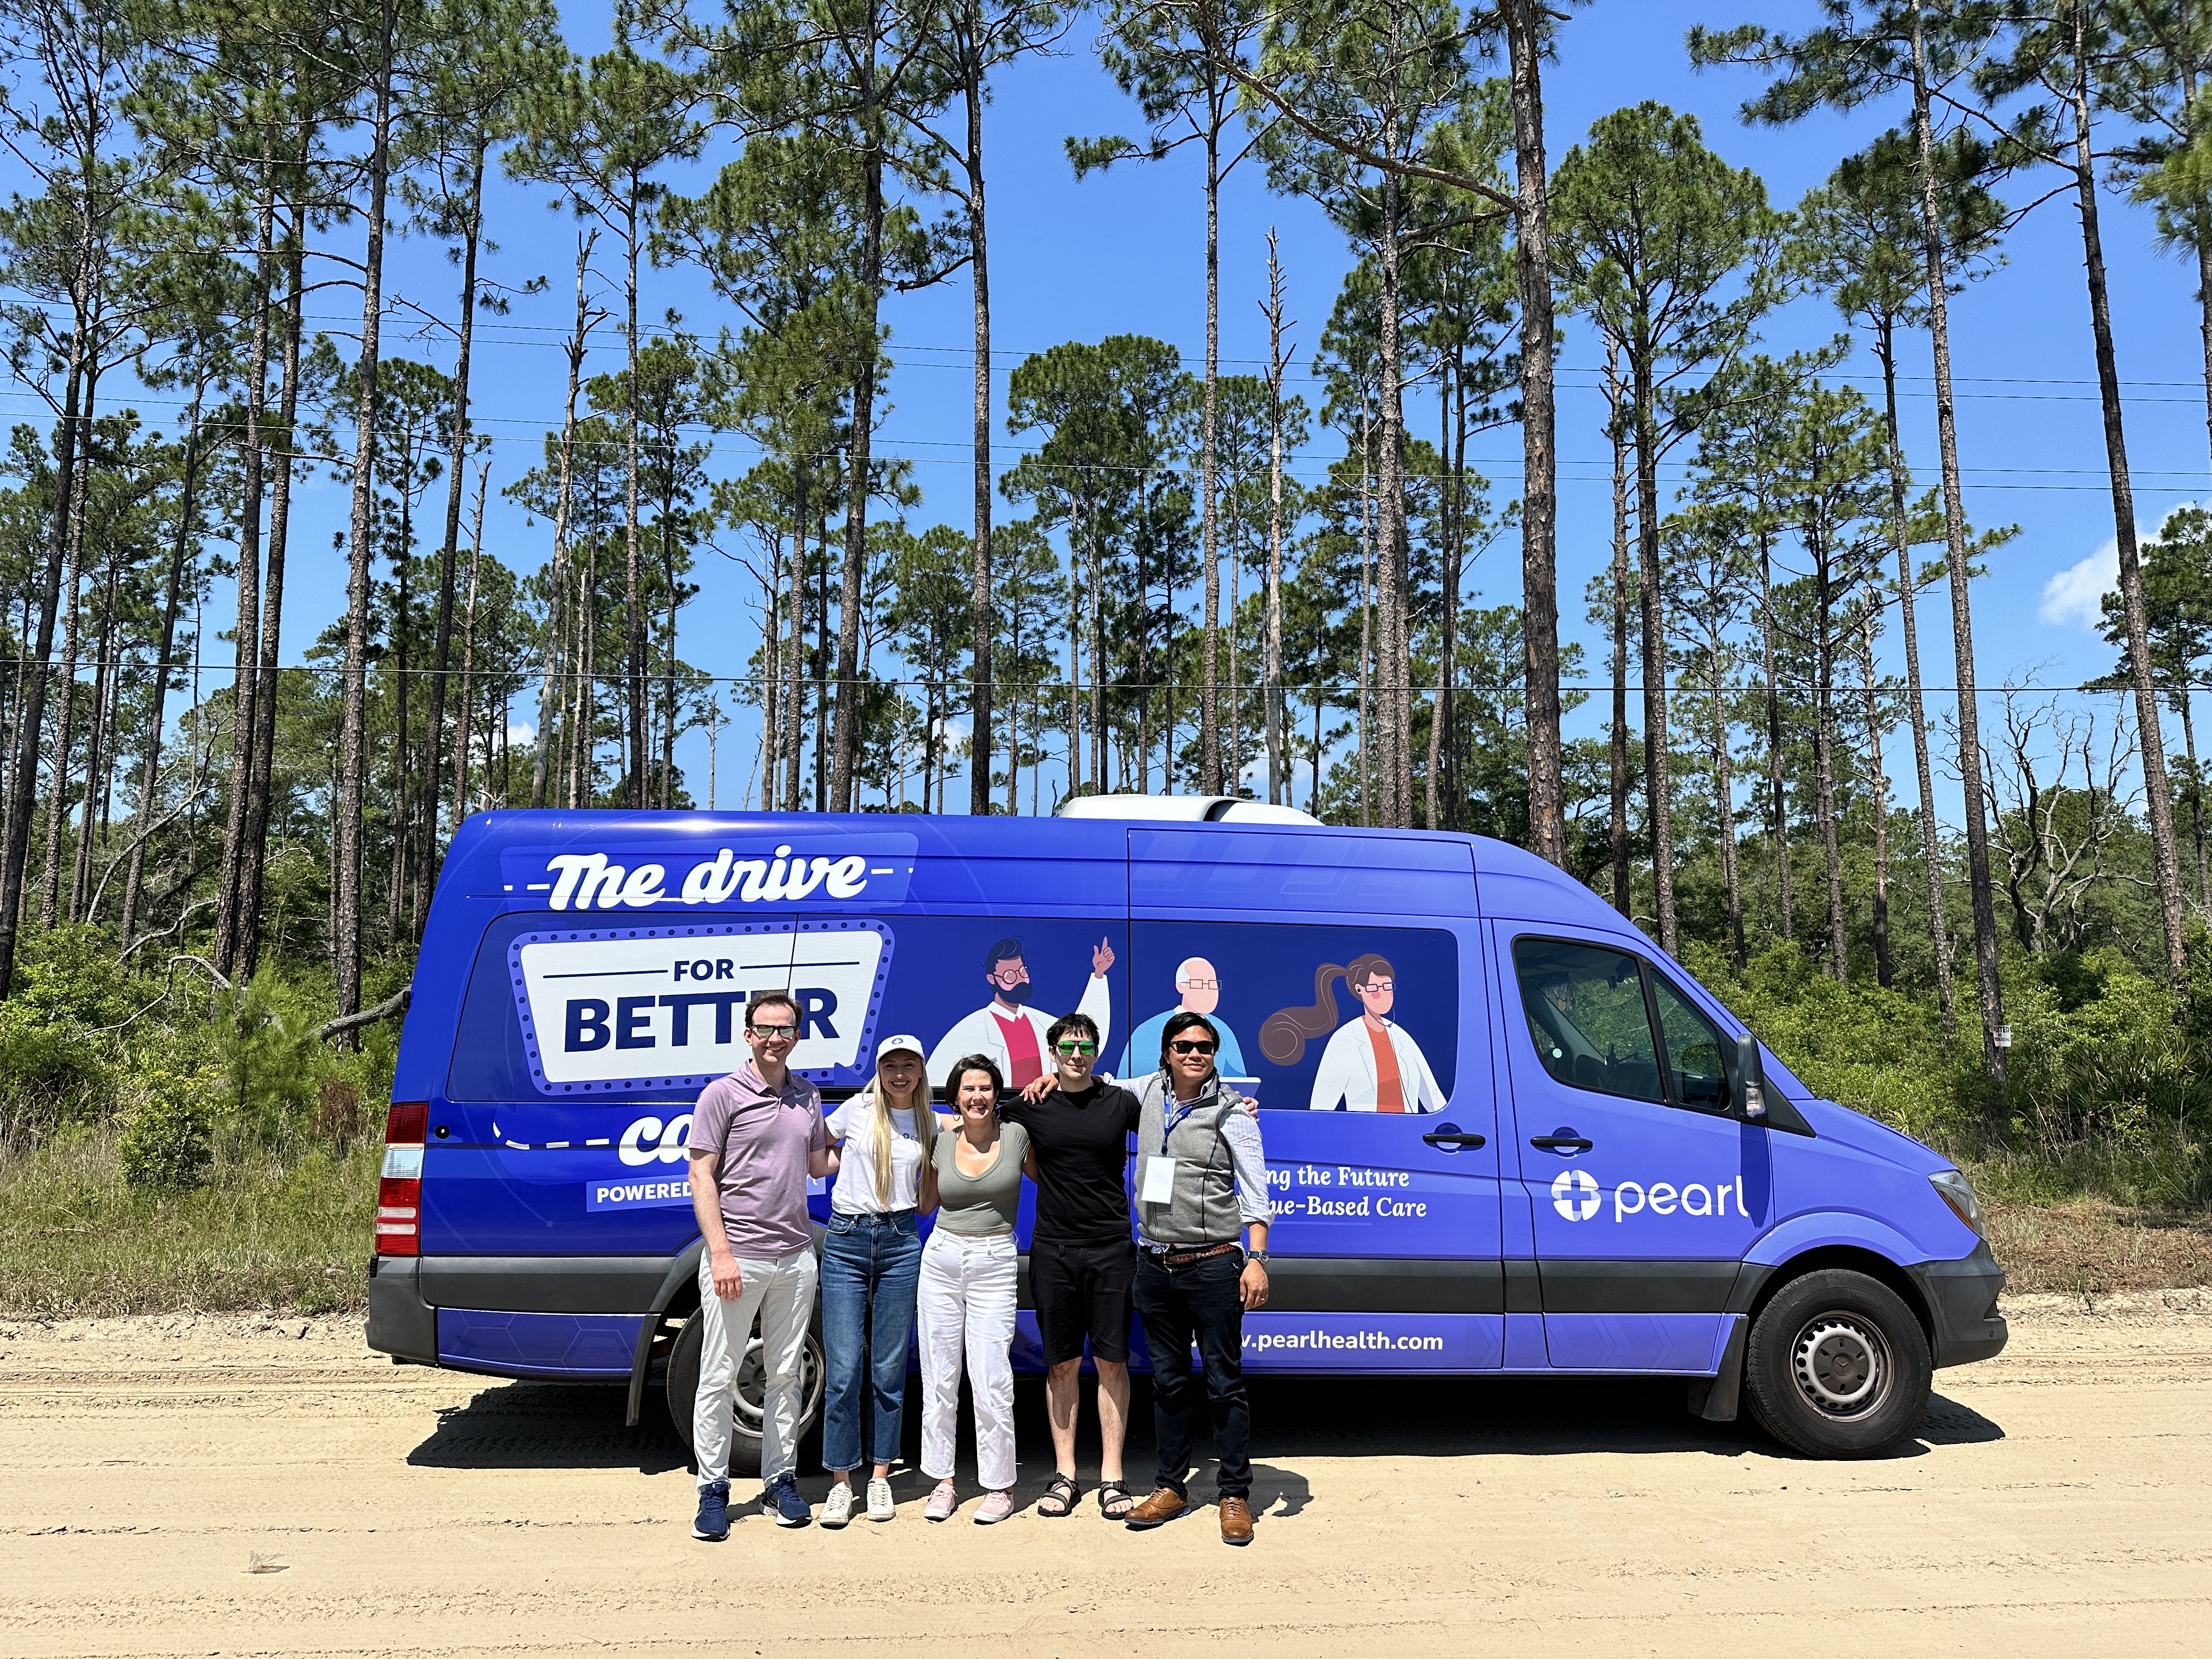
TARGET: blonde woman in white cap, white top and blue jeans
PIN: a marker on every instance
(870, 1269)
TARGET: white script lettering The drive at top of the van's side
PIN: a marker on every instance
(656, 875)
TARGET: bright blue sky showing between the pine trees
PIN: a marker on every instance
(1125, 253)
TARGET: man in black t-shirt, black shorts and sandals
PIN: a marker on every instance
(1083, 1258)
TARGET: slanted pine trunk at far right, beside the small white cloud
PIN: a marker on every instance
(2158, 791)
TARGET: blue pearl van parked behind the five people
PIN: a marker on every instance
(1505, 1134)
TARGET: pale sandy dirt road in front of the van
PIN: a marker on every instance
(260, 1488)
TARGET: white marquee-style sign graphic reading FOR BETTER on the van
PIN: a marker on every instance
(665, 1008)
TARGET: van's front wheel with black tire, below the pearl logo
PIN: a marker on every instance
(1837, 1366)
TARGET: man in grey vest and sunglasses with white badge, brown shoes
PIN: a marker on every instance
(1202, 1187)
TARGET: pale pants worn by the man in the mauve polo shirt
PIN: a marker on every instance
(782, 1293)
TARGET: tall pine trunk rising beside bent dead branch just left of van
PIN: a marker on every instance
(355, 727)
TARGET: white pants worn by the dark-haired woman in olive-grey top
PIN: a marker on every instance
(968, 1304)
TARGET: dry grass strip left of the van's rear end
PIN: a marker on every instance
(271, 1229)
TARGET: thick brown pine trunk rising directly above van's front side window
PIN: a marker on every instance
(1541, 503)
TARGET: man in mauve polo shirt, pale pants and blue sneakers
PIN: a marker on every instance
(755, 1140)
